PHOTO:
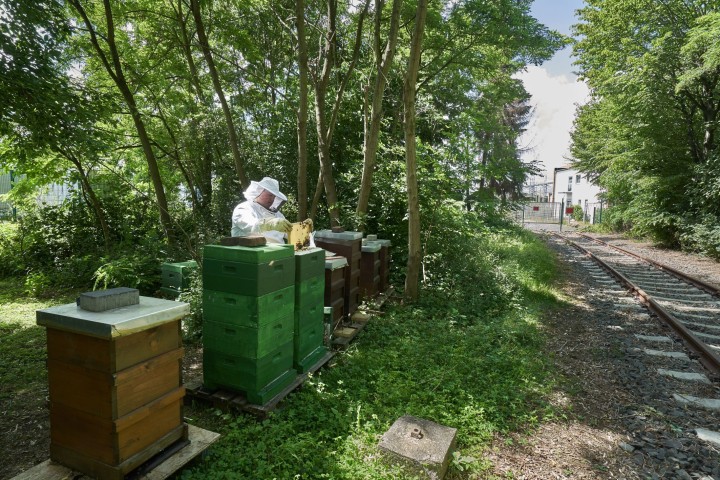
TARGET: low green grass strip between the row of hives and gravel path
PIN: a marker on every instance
(482, 374)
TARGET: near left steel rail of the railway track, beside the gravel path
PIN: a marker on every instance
(707, 357)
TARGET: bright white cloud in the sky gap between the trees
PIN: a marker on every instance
(554, 98)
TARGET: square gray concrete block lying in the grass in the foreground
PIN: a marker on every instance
(423, 446)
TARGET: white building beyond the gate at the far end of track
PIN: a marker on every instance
(575, 188)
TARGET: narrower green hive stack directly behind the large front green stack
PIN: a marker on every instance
(309, 308)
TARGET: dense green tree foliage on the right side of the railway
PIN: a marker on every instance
(650, 132)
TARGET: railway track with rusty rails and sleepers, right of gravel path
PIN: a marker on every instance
(690, 306)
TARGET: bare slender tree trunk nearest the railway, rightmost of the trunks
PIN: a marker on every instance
(414, 253)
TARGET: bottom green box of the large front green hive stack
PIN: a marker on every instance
(246, 374)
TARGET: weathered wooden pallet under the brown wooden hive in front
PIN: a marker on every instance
(159, 467)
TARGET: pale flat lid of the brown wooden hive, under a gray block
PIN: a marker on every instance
(149, 313)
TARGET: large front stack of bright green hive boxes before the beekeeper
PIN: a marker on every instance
(248, 319)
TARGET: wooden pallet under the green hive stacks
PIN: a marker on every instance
(227, 400)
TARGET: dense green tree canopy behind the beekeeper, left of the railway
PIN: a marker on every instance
(177, 104)
